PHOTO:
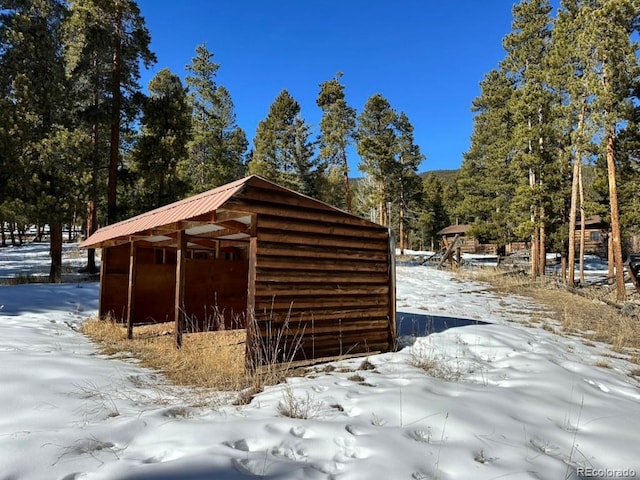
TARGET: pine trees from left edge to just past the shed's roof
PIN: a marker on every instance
(80, 142)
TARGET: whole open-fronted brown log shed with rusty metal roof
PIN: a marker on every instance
(300, 275)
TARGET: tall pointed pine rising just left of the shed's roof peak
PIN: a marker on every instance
(216, 151)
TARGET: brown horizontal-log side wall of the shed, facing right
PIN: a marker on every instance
(322, 279)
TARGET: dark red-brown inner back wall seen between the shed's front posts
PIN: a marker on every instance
(215, 285)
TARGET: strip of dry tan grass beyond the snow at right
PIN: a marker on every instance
(587, 315)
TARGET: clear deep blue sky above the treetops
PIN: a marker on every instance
(426, 57)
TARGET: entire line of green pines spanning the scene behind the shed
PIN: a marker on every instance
(555, 135)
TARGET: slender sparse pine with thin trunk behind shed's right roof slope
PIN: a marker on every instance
(337, 131)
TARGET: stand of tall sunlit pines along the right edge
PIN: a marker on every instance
(556, 136)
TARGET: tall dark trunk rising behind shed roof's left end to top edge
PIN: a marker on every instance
(114, 155)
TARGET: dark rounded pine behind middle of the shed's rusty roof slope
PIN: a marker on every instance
(162, 143)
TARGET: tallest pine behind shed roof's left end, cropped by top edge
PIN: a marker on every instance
(108, 42)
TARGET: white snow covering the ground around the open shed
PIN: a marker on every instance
(507, 401)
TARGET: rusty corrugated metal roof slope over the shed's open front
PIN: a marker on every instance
(186, 209)
